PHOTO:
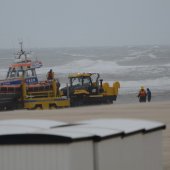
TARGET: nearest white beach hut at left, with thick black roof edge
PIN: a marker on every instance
(43, 147)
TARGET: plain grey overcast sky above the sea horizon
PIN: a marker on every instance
(63, 23)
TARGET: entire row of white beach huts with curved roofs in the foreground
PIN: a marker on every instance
(121, 144)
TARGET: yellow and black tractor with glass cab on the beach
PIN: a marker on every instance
(87, 88)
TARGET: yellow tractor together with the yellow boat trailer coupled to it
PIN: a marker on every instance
(84, 89)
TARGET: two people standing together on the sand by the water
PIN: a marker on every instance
(144, 95)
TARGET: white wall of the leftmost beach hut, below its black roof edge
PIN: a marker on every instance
(47, 157)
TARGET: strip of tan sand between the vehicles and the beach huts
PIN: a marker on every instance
(156, 111)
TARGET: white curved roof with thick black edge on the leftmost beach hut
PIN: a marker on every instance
(24, 131)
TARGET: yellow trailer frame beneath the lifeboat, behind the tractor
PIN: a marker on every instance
(44, 99)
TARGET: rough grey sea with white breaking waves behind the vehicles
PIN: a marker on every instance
(132, 66)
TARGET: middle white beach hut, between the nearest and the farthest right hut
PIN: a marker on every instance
(106, 145)
